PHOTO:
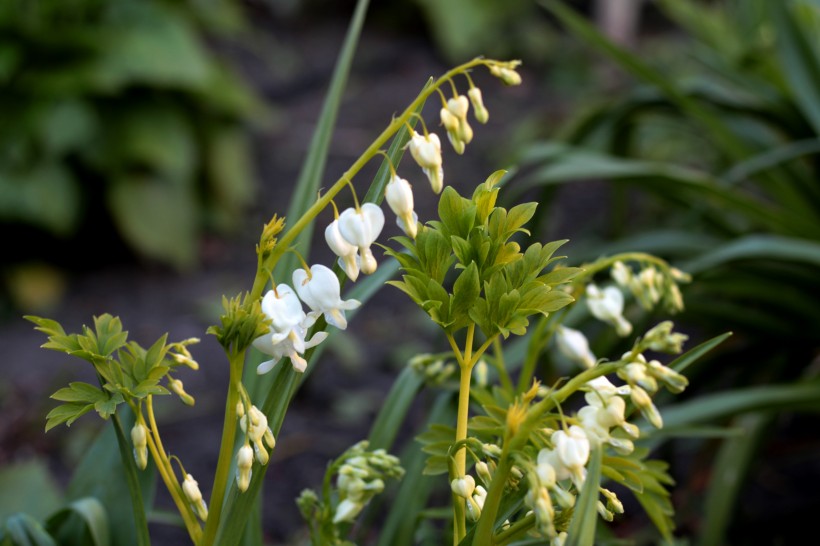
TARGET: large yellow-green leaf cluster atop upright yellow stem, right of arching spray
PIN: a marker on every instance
(495, 285)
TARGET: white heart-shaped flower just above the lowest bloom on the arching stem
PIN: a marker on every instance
(321, 291)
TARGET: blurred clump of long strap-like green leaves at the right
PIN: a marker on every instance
(717, 172)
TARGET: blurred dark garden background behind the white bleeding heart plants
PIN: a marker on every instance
(143, 145)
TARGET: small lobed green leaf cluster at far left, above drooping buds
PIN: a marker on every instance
(126, 371)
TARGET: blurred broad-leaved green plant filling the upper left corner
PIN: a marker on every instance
(120, 108)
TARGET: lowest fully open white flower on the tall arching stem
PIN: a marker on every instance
(289, 325)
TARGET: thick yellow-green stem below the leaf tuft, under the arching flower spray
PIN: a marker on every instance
(223, 466)
